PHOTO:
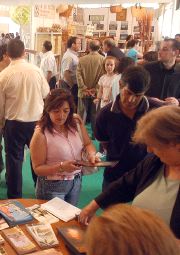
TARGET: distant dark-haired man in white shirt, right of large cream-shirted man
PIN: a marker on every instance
(48, 64)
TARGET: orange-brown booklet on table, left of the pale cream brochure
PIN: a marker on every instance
(19, 241)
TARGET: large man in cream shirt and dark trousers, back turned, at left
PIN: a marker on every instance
(22, 90)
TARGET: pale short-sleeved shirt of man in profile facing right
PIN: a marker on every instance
(69, 62)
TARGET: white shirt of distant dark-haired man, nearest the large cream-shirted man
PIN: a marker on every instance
(48, 64)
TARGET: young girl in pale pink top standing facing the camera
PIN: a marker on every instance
(104, 95)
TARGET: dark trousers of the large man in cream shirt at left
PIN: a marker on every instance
(16, 135)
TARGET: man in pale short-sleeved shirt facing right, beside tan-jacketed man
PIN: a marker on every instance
(69, 64)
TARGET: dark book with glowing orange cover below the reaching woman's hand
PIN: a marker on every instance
(73, 237)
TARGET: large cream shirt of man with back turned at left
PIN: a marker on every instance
(22, 90)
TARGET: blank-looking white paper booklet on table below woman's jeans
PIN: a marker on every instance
(61, 209)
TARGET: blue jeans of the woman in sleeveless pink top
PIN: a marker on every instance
(68, 190)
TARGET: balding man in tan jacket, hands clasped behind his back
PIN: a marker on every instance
(89, 70)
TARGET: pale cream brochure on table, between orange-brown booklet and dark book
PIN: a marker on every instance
(43, 234)
